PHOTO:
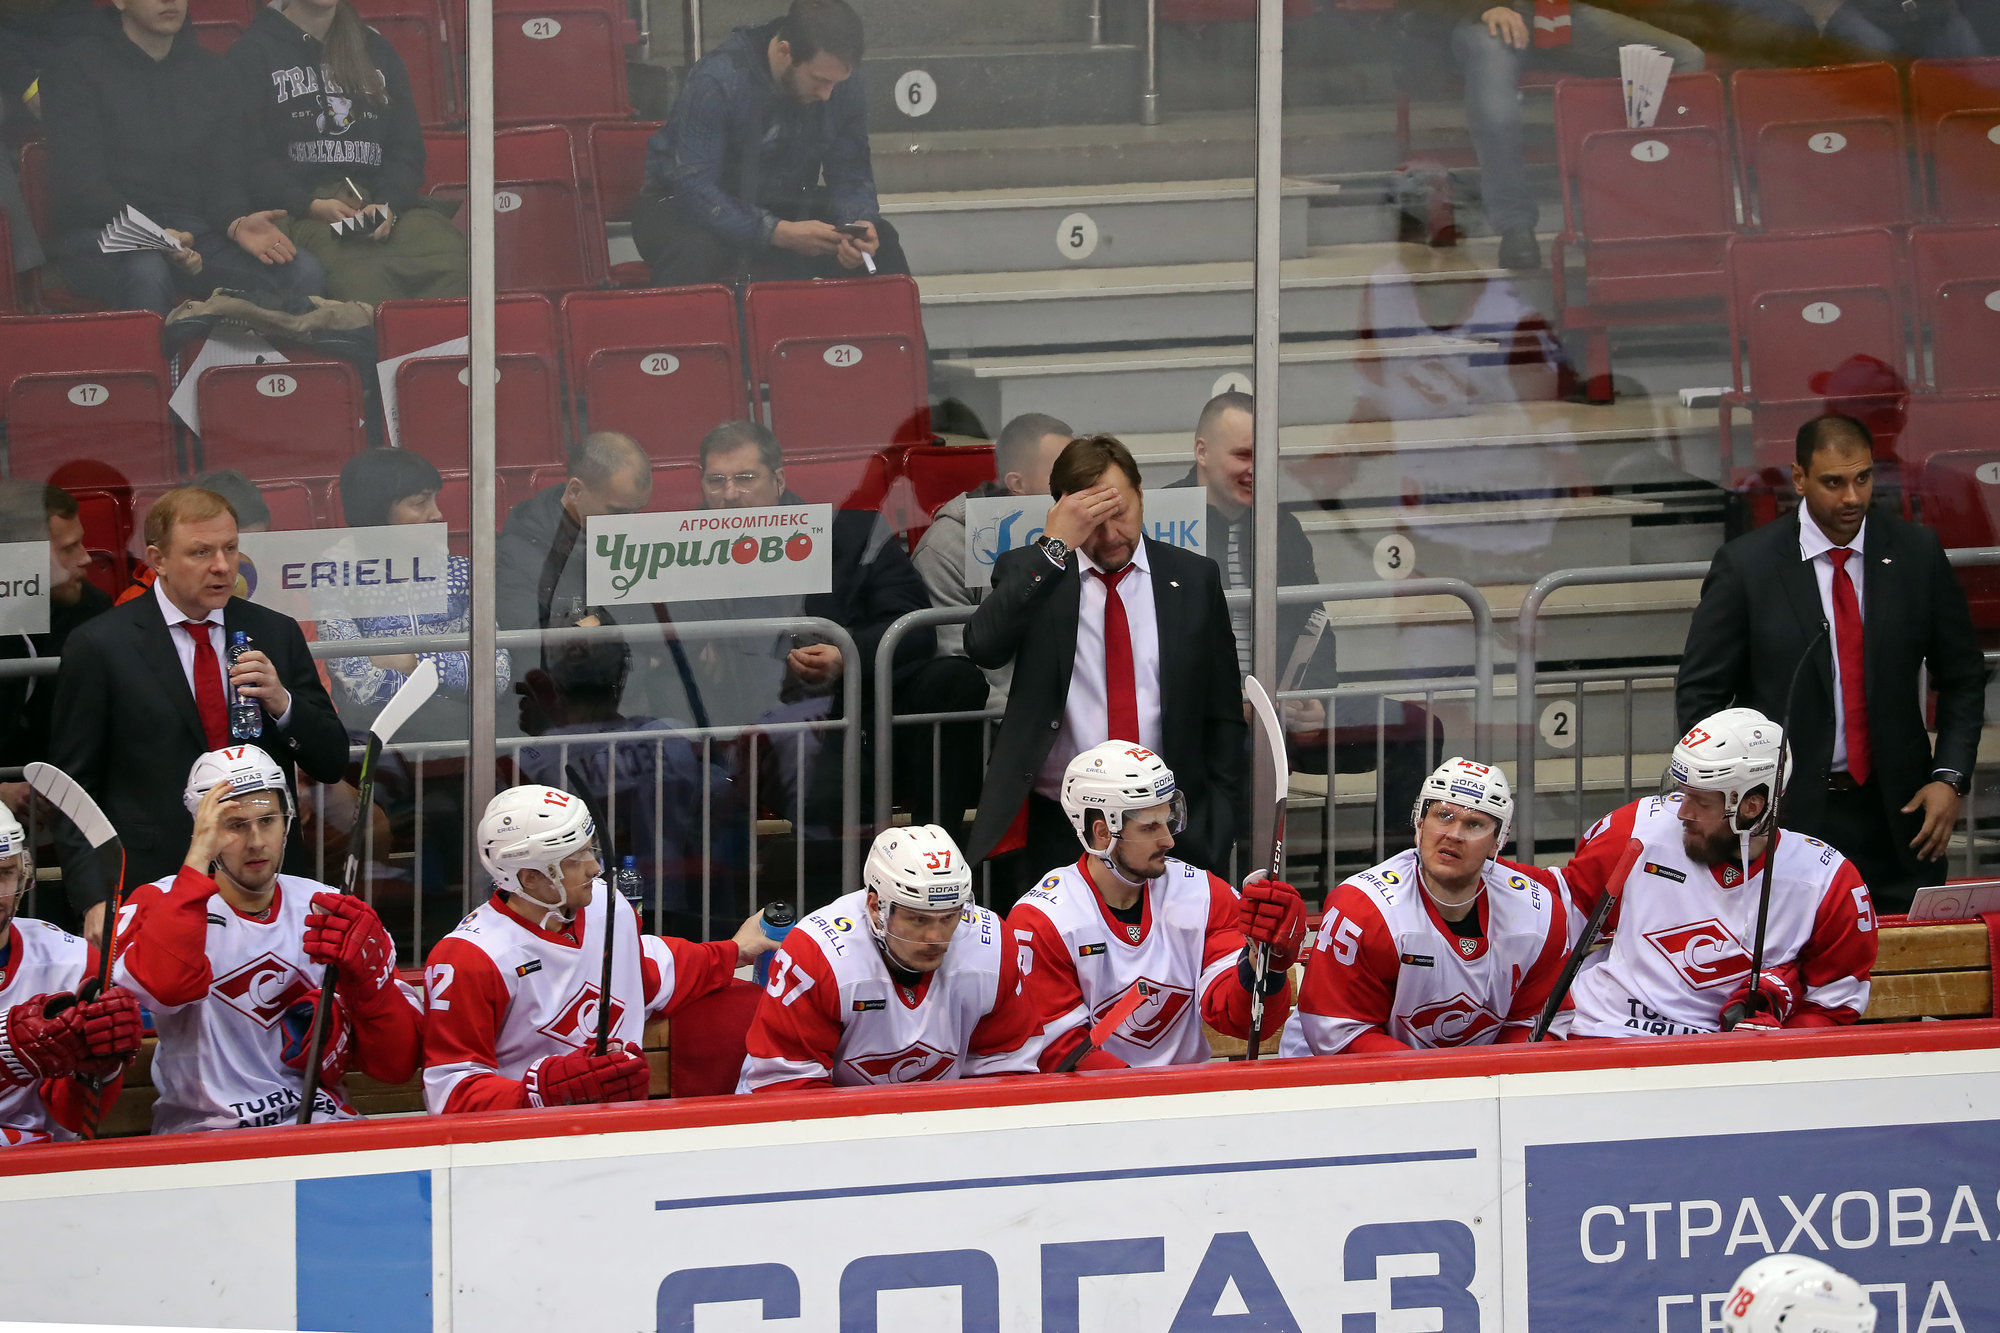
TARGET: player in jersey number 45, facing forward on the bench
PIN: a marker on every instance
(1441, 946)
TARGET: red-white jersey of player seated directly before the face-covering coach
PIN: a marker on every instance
(1077, 962)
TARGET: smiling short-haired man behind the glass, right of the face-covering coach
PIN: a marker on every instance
(1225, 453)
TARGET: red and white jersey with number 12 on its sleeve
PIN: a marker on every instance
(505, 992)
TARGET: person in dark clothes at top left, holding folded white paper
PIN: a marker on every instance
(135, 121)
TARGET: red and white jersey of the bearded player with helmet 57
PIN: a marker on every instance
(1683, 932)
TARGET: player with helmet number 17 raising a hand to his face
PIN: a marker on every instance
(229, 958)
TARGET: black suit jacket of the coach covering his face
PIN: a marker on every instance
(1029, 619)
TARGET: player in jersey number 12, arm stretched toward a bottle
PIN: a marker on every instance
(513, 994)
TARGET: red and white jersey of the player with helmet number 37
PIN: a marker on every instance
(835, 1016)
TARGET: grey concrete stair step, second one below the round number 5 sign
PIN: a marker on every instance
(1135, 391)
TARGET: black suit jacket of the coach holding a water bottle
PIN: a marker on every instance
(127, 728)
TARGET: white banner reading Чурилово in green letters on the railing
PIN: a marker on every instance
(711, 553)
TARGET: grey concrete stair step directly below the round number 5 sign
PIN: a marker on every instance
(1381, 287)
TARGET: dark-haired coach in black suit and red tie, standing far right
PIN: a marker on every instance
(1865, 778)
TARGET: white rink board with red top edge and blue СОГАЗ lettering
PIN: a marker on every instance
(1597, 1188)
